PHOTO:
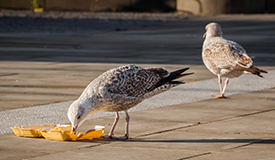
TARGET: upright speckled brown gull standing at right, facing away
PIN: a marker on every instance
(225, 58)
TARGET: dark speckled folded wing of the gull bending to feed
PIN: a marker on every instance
(132, 81)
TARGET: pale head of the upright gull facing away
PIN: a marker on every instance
(213, 30)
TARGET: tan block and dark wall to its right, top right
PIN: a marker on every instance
(206, 7)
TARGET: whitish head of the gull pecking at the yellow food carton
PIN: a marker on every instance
(77, 114)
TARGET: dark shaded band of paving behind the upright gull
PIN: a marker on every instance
(172, 42)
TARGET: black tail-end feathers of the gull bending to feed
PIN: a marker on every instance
(173, 75)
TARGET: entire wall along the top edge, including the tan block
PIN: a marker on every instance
(192, 7)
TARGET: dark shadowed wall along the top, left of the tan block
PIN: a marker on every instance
(95, 5)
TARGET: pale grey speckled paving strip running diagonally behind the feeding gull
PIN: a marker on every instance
(189, 92)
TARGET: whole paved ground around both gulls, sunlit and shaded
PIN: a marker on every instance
(41, 67)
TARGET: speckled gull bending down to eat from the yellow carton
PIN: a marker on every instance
(120, 89)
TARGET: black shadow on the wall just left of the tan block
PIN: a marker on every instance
(151, 6)
